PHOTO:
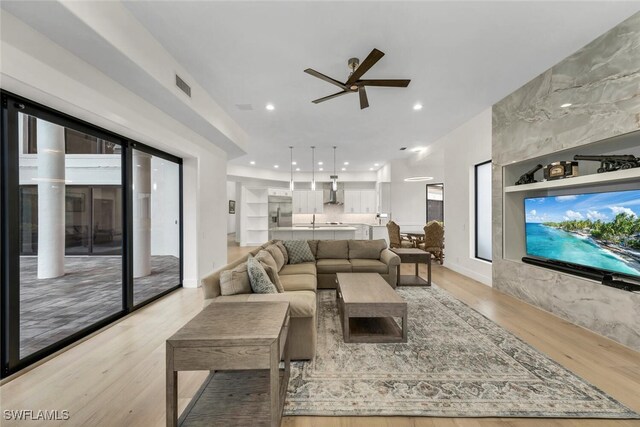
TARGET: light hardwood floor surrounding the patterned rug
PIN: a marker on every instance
(116, 378)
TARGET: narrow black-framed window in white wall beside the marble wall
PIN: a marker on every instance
(483, 210)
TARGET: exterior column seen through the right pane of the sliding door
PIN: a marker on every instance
(141, 214)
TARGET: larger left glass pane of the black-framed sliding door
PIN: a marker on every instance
(65, 216)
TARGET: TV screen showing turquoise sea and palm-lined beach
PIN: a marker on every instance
(599, 230)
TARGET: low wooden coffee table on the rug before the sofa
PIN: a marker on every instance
(367, 305)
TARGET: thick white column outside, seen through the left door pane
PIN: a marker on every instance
(51, 200)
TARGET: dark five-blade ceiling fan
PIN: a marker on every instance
(353, 83)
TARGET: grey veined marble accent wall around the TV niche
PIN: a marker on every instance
(602, 81)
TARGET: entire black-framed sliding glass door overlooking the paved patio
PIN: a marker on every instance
(91, 229)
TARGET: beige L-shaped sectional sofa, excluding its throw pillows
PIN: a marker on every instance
(300, 282)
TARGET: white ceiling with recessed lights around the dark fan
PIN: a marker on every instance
(461, 57)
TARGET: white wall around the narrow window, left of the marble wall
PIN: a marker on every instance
(449, 160)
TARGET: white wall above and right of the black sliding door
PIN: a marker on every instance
(32, 66)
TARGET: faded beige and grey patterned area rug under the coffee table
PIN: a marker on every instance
(456, 363)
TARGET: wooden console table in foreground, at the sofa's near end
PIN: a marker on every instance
(244, 342)
